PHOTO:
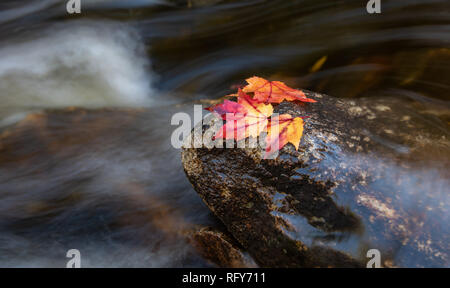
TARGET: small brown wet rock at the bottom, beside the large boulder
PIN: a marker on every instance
(220, 249)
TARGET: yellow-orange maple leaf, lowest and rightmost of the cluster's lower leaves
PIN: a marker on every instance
(283, 129)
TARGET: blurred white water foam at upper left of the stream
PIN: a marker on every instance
(87, 64)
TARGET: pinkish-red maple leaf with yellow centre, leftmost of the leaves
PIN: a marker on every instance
(244, 118)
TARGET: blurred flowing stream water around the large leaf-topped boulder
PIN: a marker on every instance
(119, 194)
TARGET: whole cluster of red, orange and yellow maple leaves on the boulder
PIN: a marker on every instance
(252, 114)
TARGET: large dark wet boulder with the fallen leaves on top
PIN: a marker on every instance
(369, 174)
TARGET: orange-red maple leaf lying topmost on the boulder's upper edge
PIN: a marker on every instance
(273, 91)
